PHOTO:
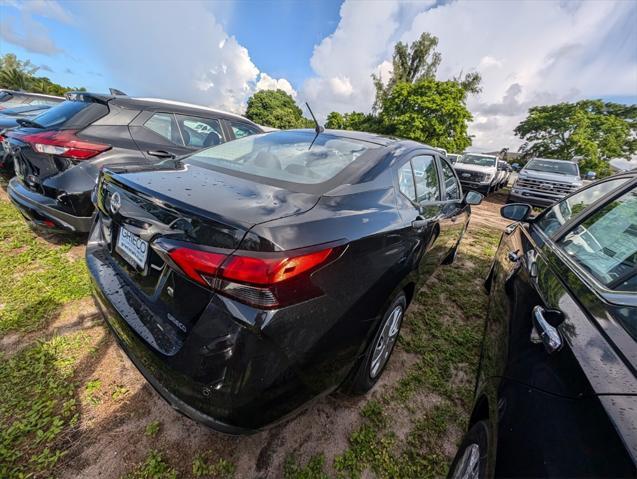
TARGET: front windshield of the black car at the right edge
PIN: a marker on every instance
(563, 211)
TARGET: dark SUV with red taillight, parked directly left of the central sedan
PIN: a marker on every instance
(59, 154)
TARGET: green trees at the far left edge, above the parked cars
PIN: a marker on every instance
(20, 75)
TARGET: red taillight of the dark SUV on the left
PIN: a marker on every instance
(63, 143)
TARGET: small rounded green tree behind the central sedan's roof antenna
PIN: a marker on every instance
(276, 109)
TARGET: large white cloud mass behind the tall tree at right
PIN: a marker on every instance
(528, 53)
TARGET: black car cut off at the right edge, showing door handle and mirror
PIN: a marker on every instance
(556, 393)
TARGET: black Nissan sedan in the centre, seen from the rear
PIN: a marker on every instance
(251, 277)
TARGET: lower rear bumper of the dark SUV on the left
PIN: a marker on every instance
(41, 210)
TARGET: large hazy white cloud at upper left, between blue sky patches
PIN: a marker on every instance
(172, 51)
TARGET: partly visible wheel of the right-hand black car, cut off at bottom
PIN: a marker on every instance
(471, 459)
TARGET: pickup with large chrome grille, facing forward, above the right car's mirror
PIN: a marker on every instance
(543, 181)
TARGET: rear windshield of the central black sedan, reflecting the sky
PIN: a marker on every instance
(285, 156)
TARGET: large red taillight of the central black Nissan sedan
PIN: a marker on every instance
(265, 282)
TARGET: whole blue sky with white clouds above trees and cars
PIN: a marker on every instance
(219, 53)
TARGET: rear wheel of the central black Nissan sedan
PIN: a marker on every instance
(370, 367)
